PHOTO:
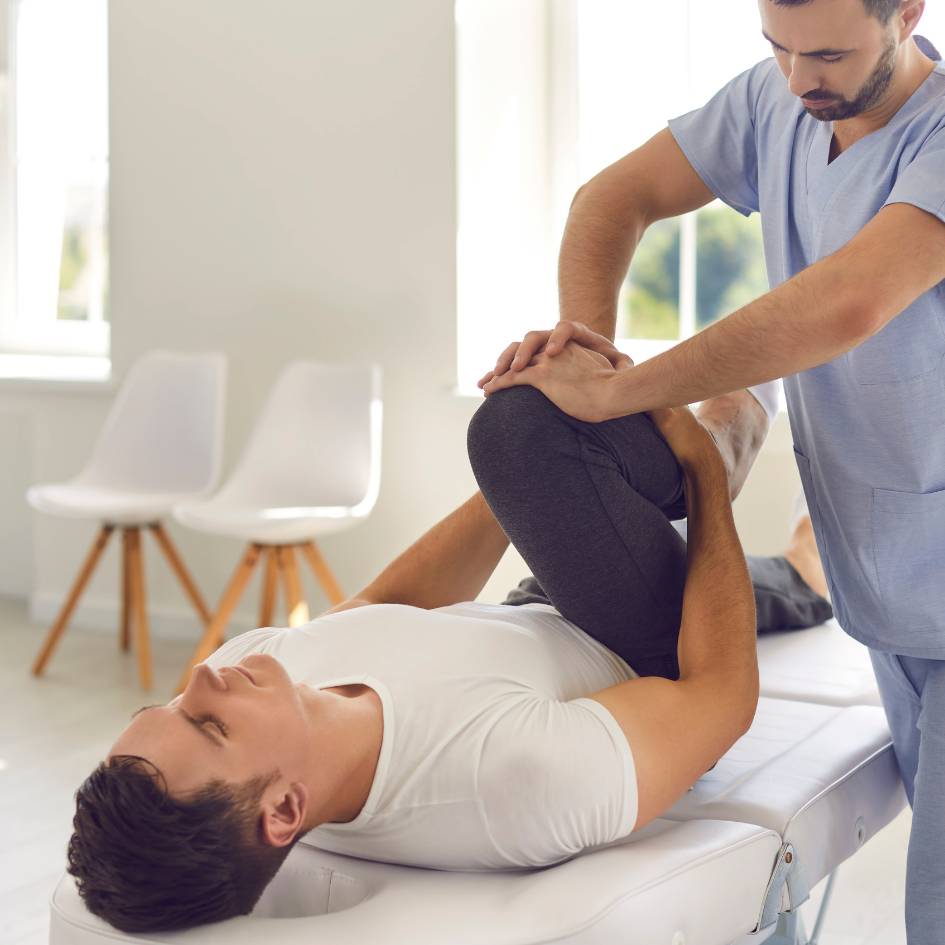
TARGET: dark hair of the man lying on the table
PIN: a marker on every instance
(147, 862)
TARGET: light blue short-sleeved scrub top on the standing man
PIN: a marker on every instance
(869, 426)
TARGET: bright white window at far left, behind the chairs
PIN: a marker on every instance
(57, 123)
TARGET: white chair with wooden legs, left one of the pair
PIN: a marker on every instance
(161, 443)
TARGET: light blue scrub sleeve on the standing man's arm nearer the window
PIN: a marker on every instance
(719, 140)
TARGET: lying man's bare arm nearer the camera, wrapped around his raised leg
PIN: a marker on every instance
(678, 729)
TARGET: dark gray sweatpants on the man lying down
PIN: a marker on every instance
(588, 506)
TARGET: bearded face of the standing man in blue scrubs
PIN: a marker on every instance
(857, 55)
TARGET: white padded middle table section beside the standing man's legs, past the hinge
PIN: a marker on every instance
(823, 777)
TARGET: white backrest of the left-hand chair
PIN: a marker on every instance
(164, 432)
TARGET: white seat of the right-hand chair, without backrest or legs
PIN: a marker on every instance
(268, 526)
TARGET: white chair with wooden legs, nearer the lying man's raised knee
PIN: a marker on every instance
(312, 467)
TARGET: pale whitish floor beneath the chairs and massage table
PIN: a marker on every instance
(53, 731)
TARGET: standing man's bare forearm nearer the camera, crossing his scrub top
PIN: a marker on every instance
(808, 320)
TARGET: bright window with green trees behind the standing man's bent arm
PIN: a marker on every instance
(687, 272)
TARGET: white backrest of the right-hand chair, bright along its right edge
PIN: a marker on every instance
(317, 442)
